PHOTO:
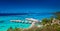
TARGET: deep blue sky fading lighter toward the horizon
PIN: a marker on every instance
(29, 6)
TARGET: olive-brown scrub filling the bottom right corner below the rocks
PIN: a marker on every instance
(54, 27)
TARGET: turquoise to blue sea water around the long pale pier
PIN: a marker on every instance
(5, 24)
